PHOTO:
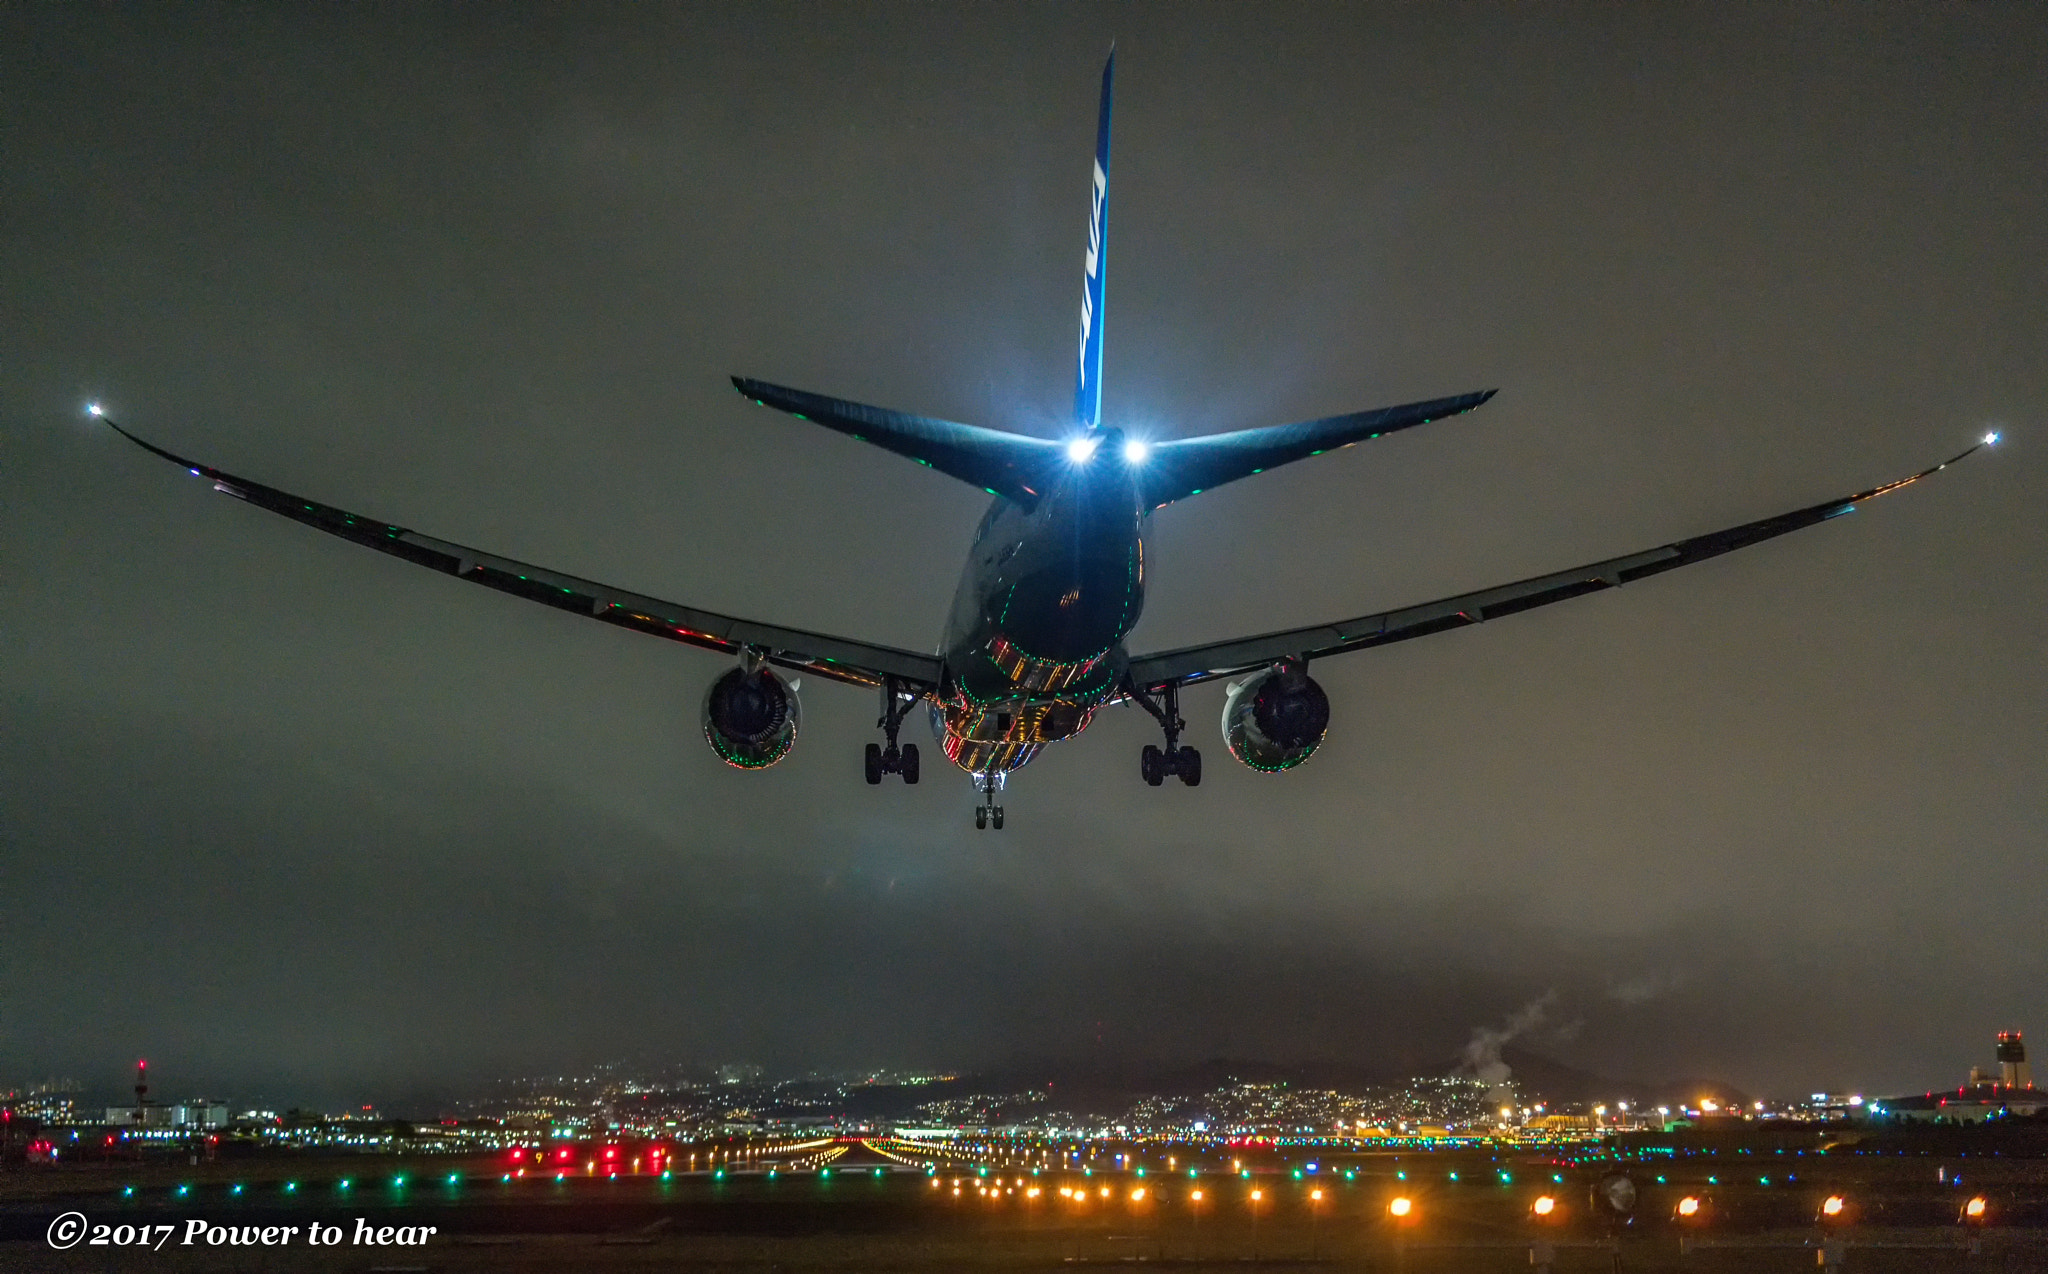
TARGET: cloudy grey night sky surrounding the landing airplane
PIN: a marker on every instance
(296, 820)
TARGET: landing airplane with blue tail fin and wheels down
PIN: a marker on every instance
(1054, 583)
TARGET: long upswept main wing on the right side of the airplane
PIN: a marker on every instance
(1230, 659)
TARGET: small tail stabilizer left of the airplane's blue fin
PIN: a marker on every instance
(996, 462)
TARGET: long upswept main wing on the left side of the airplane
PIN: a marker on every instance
(820, 654)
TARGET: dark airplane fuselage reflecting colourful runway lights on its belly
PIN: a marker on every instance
(1035, 642)
